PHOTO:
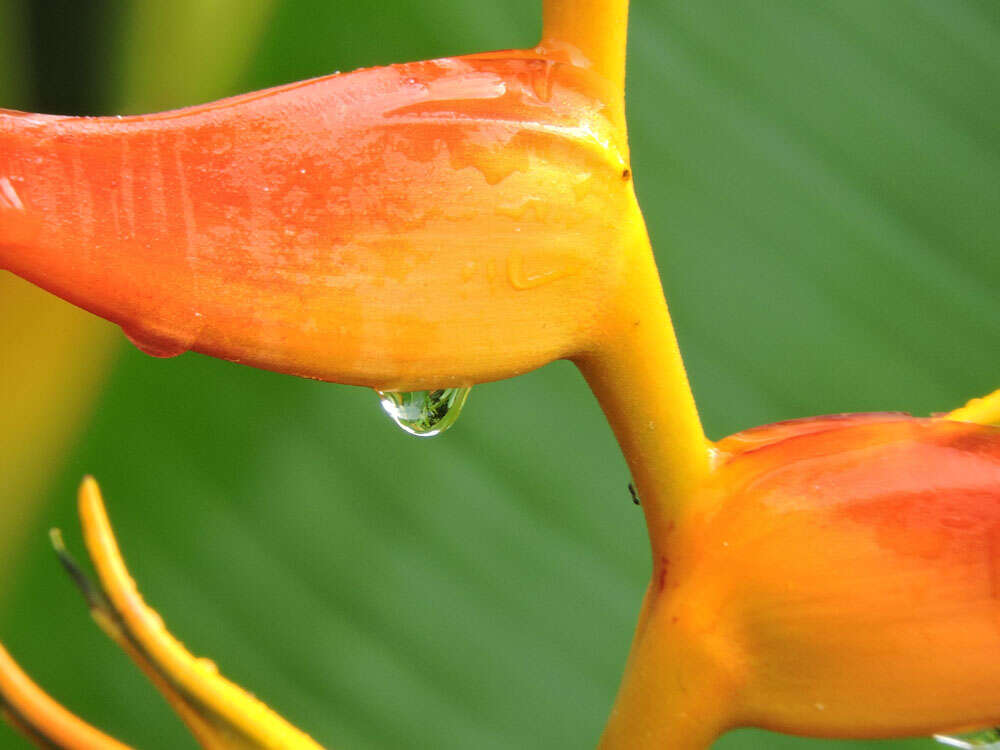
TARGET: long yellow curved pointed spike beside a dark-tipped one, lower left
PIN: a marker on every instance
(220, 714)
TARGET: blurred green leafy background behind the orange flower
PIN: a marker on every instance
(822, 184)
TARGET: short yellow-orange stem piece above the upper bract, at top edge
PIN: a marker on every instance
(598, 28)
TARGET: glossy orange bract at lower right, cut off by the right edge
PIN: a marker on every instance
(839, 544)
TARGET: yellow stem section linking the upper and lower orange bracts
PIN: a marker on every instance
(639, 379)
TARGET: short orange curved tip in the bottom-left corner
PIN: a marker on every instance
(40, 718)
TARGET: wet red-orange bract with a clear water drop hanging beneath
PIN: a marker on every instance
(421, 225)
